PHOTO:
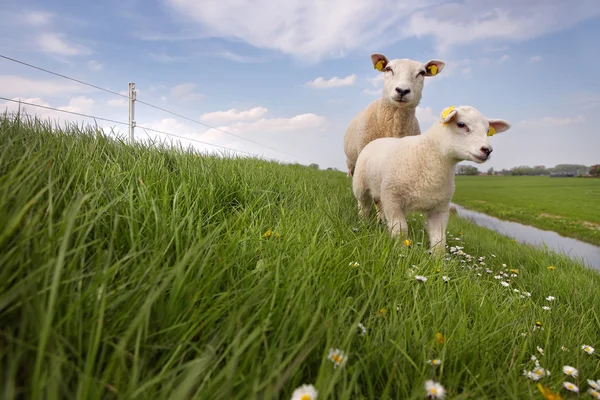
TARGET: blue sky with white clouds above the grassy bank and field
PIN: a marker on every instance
(282, 80)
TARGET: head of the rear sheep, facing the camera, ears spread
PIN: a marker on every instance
(403, 78)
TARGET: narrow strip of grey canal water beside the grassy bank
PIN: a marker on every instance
(580, 251)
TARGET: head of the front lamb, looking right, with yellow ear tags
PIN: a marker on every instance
(467, 133)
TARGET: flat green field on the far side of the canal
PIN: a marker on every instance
(568, 206)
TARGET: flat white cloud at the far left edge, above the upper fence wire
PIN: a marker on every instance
(14, 86)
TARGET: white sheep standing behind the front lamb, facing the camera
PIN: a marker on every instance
(393, 114)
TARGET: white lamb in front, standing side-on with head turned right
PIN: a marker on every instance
(416, 173)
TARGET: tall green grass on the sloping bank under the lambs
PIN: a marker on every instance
(143, 273)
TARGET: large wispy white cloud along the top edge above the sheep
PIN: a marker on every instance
(312, 29)
